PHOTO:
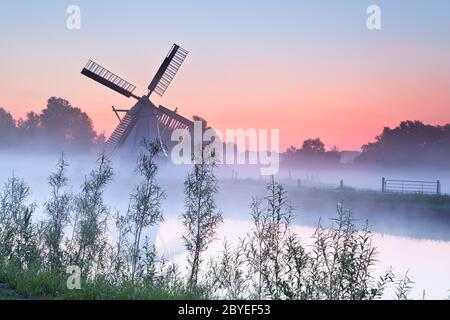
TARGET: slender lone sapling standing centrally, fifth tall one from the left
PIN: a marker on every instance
(201, 217)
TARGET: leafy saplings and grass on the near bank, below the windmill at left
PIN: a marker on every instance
(33, 258)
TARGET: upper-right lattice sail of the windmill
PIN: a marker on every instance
(168, 70)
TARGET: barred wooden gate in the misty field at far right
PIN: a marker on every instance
(409, 186)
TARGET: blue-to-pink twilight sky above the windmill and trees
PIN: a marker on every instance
(309, 68)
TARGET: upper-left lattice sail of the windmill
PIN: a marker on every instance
(101, 75)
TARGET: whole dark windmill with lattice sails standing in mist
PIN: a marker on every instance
(144, 119)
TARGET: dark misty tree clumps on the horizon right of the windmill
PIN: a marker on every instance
(411, 143)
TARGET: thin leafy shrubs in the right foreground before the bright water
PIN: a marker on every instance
(338, 266)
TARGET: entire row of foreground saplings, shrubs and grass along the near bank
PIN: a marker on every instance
(270, 262)
